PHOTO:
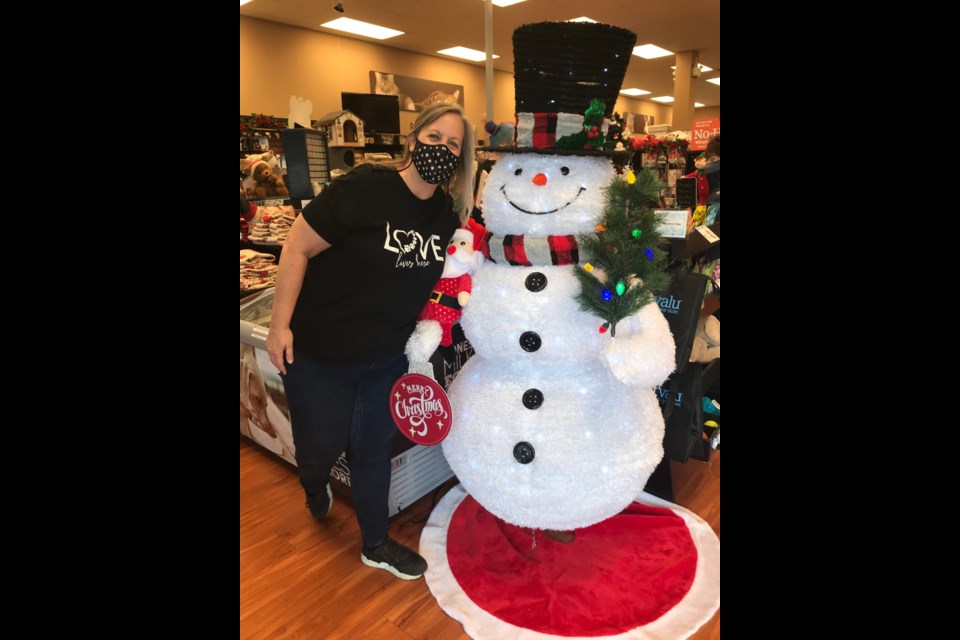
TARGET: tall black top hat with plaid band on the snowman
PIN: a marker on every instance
(567, 76)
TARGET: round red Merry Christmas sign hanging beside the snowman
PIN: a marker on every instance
(420, 408)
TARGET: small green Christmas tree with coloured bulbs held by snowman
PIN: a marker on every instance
(625, 267)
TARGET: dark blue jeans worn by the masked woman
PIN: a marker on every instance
(337, 408)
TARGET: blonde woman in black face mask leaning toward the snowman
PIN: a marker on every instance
(355, 271)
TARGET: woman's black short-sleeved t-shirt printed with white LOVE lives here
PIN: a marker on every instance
(360, 298)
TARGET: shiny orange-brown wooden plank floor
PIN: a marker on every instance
(303, 579)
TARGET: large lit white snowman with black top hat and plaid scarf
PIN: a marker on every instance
(557, 424)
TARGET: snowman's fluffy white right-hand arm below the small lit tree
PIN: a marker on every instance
(643, 352)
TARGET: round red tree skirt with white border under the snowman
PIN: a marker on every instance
(651, 572)
